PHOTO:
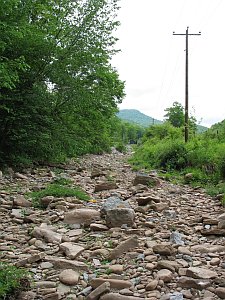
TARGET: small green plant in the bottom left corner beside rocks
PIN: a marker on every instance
(12, 280)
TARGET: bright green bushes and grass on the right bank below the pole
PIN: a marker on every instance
(163, 148)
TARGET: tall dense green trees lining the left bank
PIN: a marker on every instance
(58, 90)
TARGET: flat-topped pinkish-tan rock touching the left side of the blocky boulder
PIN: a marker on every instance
(83, 216)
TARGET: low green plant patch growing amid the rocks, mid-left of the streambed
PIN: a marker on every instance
(58, 188)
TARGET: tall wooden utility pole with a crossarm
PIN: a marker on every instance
(186, 127)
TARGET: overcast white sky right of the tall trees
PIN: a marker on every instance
(152, 60)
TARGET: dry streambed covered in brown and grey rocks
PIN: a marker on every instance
(138, 237)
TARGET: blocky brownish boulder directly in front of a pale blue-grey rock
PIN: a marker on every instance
(118, 216)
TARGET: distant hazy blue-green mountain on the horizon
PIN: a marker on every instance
(135, 116)
